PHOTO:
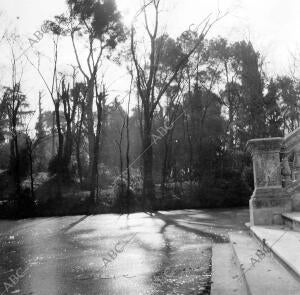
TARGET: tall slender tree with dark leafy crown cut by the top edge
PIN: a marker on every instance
(100, 23)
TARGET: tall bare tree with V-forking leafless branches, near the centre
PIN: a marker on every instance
(152, 84)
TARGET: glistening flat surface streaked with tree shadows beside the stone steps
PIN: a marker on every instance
(167, 253)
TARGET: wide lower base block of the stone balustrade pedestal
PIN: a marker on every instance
(266, 209)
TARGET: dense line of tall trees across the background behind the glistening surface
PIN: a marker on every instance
(179, 131)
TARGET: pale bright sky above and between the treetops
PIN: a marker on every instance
(271, 25)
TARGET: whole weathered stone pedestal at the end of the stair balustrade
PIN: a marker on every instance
(269, 199)
